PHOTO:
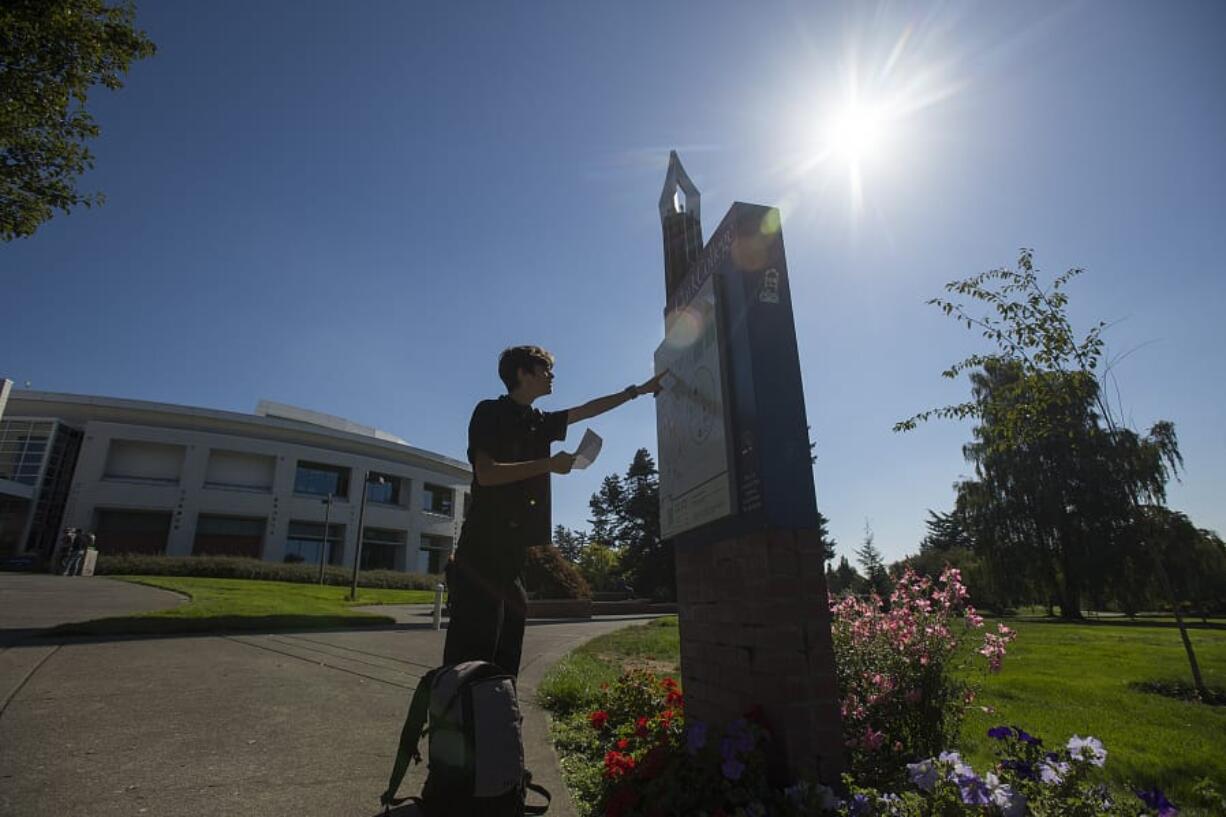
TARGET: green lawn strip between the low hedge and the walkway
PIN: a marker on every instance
(226, 605)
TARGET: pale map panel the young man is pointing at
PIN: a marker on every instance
(690, 420)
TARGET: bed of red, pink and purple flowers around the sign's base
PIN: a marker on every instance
(633, 753)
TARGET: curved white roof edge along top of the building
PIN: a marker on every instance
(23, 403)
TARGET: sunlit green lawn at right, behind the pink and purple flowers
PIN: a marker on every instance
(1061, 680)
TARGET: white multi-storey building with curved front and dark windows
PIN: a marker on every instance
(154, 478)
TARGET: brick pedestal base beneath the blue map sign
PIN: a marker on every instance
(756, 630)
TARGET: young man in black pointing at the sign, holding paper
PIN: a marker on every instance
(509, 451)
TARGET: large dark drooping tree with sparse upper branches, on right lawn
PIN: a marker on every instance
(1061, 486)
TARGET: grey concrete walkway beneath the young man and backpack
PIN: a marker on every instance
(301, 724)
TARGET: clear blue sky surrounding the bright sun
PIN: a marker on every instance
(354, 208)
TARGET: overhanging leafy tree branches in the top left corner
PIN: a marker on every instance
(52, 55)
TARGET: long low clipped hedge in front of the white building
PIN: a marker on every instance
(236, 567)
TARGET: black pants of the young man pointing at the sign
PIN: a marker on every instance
(487, 620)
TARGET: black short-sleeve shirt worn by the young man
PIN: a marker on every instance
(506, 521)
